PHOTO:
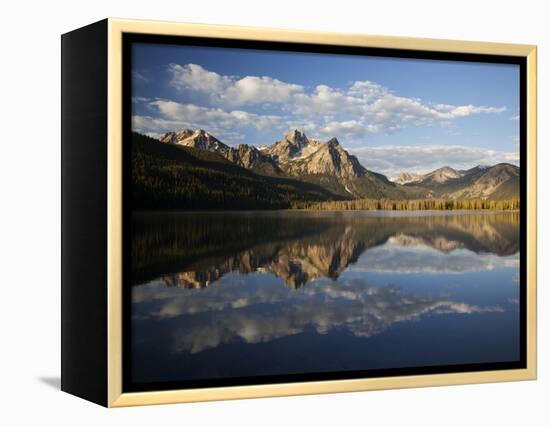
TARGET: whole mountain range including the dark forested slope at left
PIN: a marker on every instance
(193, 167)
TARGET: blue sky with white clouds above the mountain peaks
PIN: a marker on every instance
(394, 114)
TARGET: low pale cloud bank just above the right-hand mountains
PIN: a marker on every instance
(391, 160)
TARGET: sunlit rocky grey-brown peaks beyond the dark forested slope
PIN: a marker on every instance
(298, 156)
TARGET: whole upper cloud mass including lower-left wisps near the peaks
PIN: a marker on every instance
(350, 113)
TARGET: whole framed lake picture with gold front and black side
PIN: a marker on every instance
(250, 212)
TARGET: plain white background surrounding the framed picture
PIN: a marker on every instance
(30, 211)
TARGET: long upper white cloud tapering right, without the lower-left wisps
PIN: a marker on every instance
(371, 104)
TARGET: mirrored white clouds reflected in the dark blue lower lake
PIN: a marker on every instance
(324, 306)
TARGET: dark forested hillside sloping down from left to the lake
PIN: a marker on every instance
(177, 177)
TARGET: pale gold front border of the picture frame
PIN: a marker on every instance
(116, 28)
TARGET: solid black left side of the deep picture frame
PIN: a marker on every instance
(84, 212)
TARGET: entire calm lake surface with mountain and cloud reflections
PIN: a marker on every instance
(233, 294)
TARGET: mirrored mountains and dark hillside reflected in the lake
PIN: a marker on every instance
(195, 250)
